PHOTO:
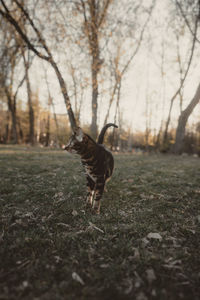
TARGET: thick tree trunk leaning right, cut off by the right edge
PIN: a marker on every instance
(180, 131)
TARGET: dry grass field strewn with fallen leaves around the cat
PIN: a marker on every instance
(144, 245)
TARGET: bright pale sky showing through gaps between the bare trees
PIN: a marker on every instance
(144, 91)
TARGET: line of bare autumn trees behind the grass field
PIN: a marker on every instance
(91, 46)
